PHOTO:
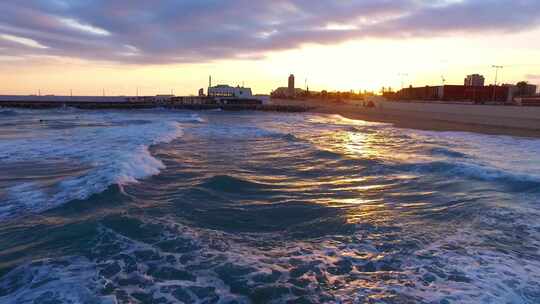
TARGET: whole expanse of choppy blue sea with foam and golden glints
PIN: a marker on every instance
(164, 207)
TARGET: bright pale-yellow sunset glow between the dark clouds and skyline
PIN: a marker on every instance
(358, 65)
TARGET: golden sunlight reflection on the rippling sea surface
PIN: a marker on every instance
(369, 205)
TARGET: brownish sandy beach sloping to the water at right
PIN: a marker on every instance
(354, 110)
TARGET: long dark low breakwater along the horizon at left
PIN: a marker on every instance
(150, 105)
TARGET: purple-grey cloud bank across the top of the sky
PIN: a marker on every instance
(200, 30)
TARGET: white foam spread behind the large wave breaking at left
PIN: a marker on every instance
(109, 150)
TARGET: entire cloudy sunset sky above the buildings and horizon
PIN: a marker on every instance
(157, 47)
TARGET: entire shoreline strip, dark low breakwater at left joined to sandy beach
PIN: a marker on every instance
(413, 115)
